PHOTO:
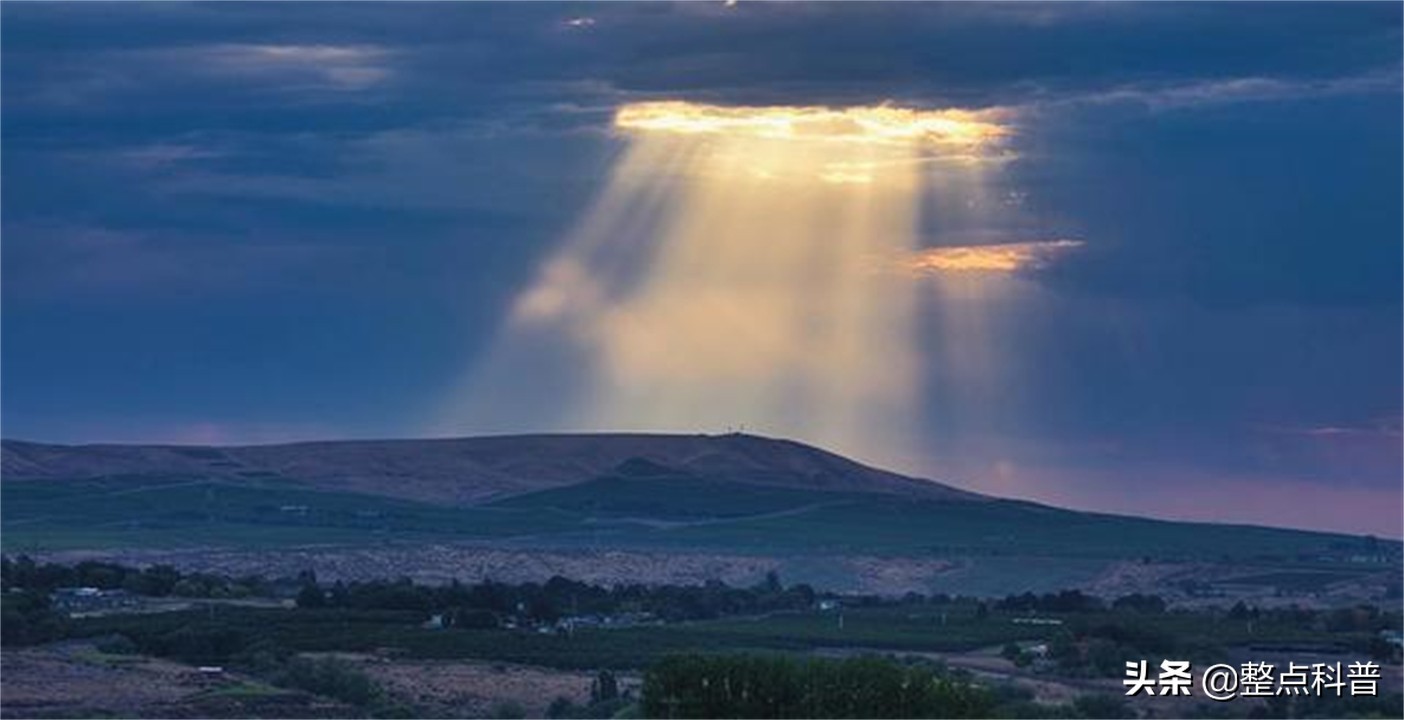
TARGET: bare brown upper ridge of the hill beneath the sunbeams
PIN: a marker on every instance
(472, 471)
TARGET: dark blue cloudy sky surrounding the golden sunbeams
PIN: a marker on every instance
(231, 224)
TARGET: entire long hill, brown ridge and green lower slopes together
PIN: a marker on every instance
(734, 496)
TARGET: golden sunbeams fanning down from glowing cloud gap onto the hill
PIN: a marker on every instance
(742, 269)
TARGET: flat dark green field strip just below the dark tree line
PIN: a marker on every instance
(910, 629)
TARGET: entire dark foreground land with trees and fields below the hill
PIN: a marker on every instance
(107, 641)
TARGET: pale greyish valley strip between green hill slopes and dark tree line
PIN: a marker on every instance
(1181, 585)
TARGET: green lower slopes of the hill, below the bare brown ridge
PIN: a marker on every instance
(635, 510)
